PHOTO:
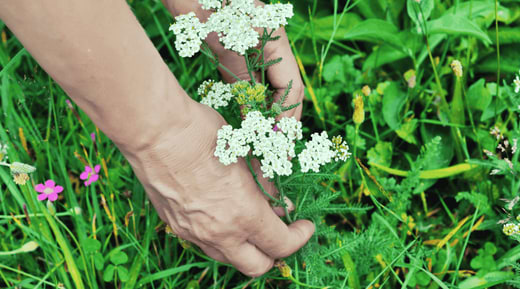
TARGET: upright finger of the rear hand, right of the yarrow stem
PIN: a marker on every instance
(281, 74)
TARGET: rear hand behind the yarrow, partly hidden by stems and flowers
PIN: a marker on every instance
(279, 75)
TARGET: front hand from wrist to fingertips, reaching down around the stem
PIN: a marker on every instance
(219, 208)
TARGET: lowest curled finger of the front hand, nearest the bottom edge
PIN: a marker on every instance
(248, 259)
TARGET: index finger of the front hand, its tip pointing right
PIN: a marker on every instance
(278, 240)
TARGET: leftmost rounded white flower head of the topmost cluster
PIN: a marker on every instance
(189, 34)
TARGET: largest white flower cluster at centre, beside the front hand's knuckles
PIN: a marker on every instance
(274, 147)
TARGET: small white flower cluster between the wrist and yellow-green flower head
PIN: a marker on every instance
(215, 94)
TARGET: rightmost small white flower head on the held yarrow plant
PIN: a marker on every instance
(318, 151)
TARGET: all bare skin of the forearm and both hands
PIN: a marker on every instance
(100, 55)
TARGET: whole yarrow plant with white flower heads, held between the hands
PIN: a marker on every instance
(257, 131)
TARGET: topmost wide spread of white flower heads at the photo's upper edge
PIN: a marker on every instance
(234, 24)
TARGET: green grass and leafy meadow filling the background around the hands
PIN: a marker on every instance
(426, 201)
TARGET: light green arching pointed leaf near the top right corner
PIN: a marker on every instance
(454, 25)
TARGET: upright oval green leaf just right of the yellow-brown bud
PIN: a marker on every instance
(394, 99)
